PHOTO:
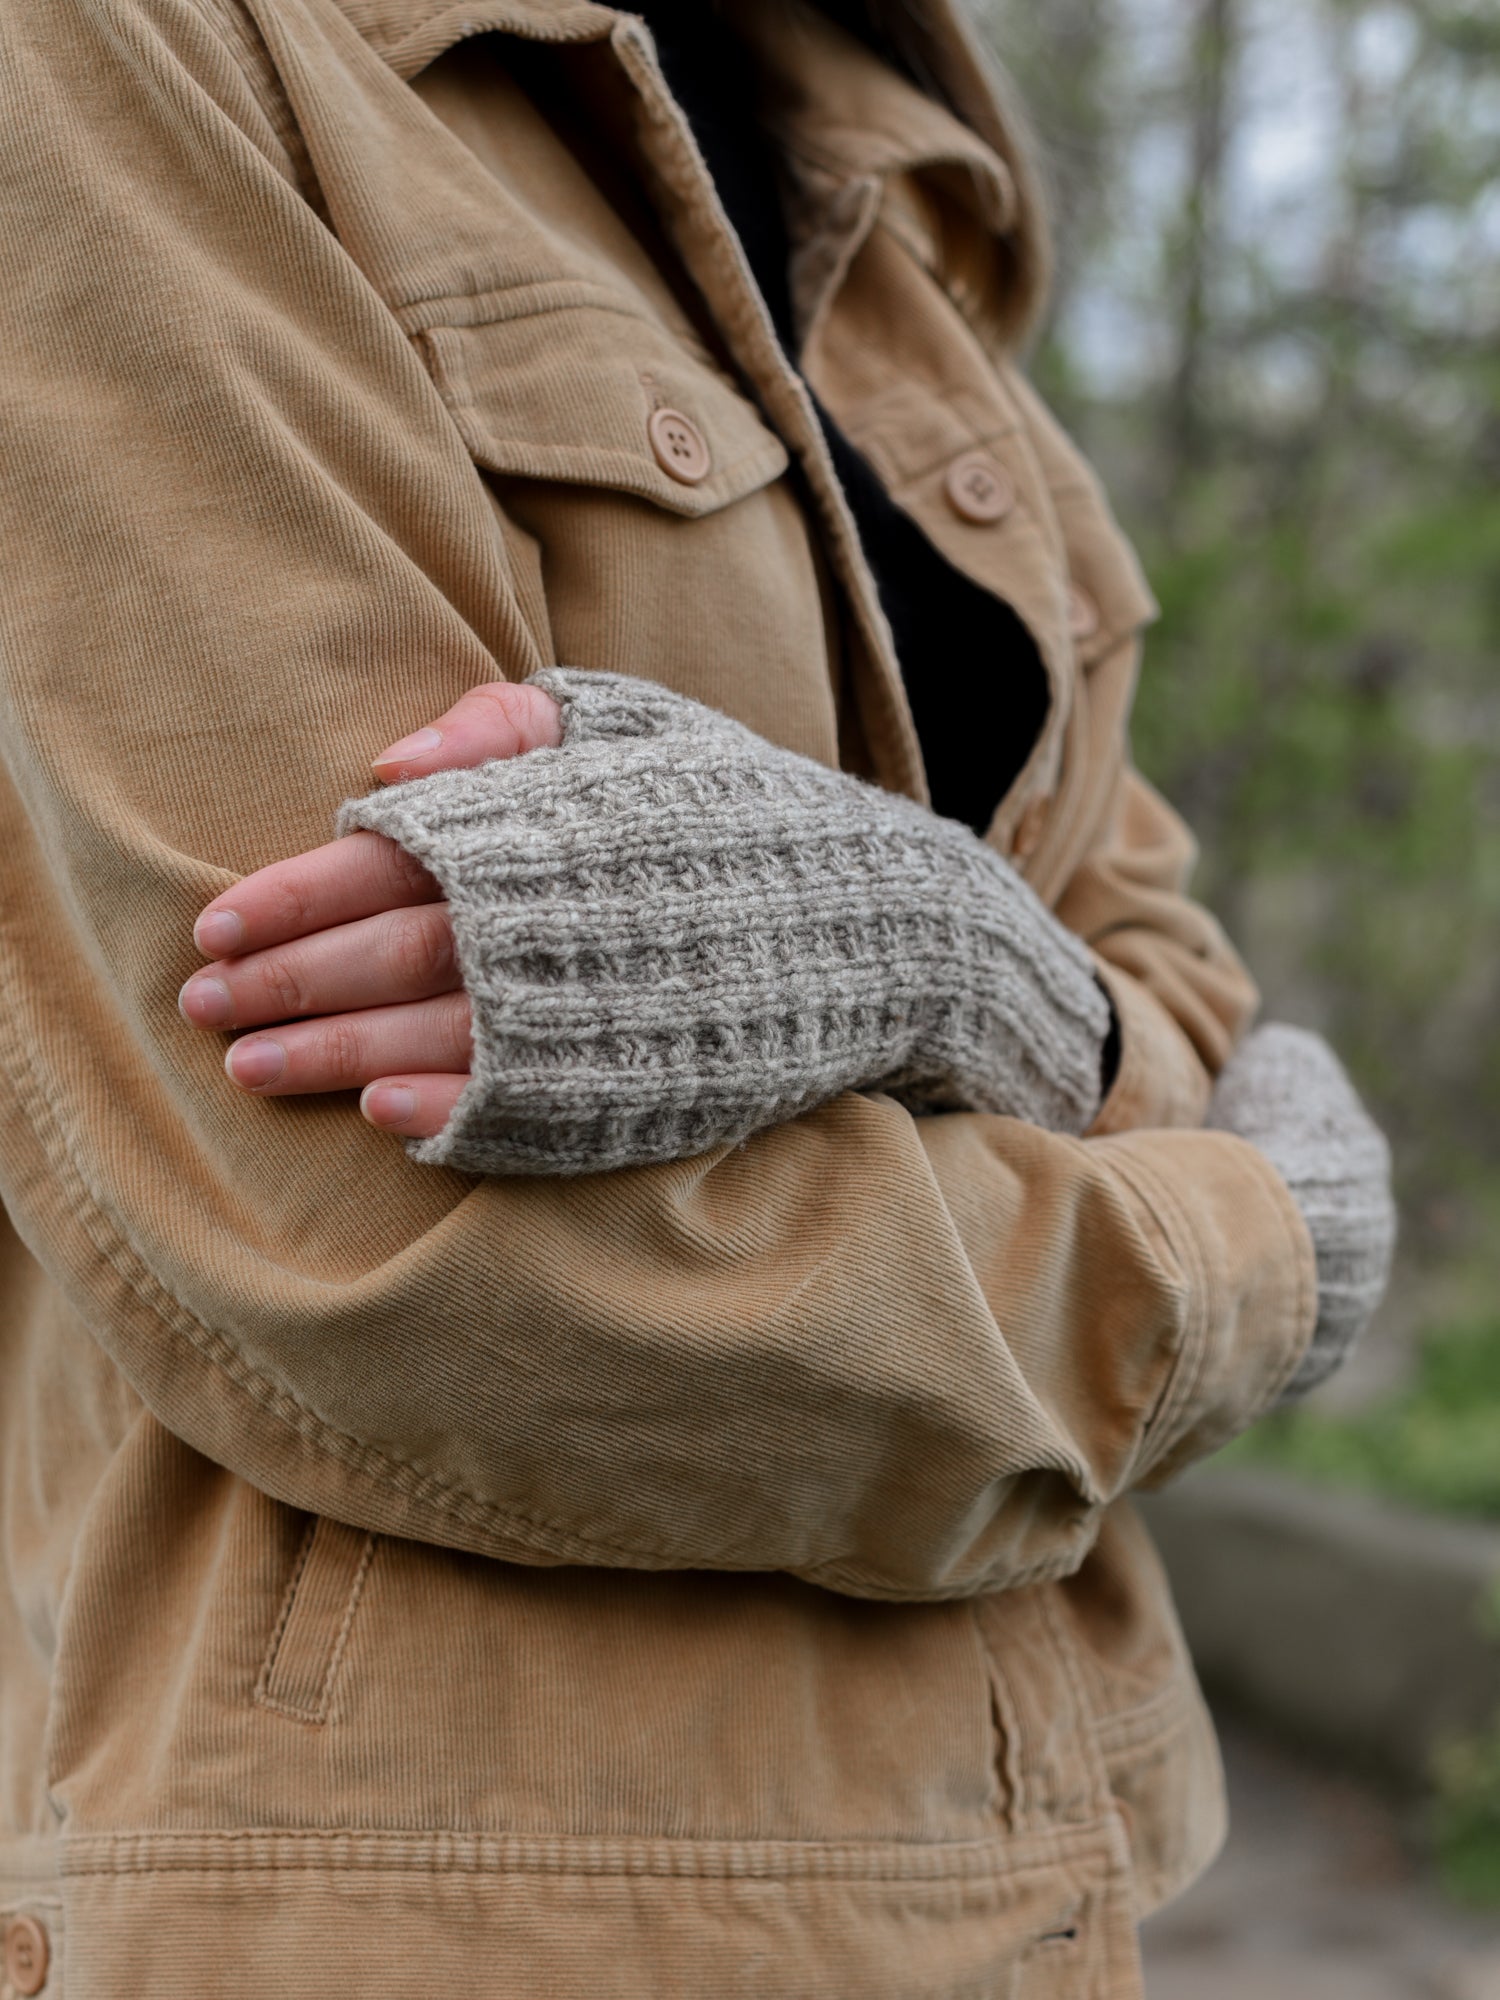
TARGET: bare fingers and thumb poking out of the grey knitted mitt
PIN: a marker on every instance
(349, 949)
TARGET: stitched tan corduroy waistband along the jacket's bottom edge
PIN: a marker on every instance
(239, 1915)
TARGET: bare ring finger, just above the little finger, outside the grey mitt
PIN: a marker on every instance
(351, 1051)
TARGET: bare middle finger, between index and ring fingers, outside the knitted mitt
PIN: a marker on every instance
(401, 955)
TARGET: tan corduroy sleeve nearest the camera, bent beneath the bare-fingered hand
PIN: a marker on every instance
(897, 1357)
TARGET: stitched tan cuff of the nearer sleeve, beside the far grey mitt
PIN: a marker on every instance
(1249, 1287)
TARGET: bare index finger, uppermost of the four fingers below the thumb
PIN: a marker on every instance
(335, 885)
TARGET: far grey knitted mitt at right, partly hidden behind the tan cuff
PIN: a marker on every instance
(1287, 1093)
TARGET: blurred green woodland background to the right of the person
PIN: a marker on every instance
(1277, 333)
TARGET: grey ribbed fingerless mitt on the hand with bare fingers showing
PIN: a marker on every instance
(675, 933)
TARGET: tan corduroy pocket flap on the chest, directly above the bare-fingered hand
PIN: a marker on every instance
(567, 393)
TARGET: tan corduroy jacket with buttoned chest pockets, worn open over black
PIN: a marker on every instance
(699, 1581)
